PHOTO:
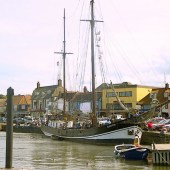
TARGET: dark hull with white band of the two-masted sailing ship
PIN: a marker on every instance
(108, 134)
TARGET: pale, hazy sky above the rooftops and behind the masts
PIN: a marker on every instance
(134, 42)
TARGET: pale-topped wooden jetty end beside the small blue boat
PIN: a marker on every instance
(161, 154)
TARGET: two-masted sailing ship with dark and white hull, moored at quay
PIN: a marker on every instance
(111, 133)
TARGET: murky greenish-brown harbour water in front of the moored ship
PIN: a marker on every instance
(35, 151)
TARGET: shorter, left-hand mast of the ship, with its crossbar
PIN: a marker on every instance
(64, 57)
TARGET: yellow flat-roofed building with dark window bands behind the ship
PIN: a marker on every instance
(129, 95)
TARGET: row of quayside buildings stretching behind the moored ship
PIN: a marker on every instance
(50, 99)
